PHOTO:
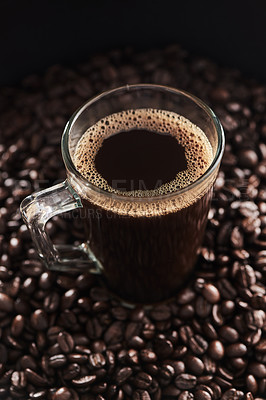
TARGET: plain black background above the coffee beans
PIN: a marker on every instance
(39, 33)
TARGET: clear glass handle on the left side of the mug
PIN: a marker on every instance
(37, 209)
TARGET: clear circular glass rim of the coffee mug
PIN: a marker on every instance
(127, 88)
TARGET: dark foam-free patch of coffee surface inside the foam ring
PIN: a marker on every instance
(139, 160)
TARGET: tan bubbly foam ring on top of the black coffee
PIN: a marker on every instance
(197, 149)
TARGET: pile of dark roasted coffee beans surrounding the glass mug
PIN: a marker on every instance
(63, 336)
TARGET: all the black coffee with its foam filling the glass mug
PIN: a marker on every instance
(144, 235)
